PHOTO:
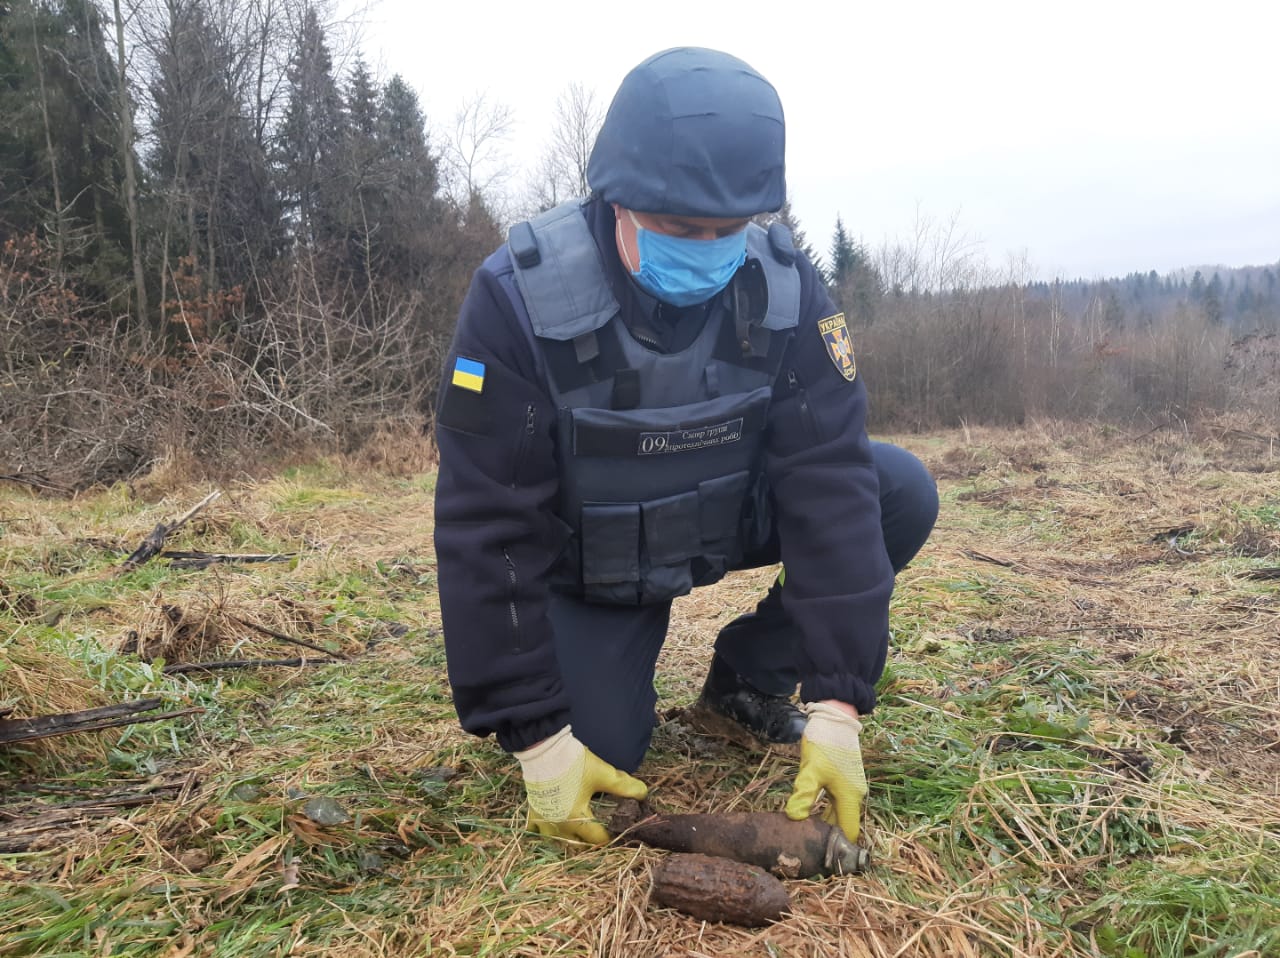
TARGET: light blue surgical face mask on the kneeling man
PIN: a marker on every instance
(685, 272)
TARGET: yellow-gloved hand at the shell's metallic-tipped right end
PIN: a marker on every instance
(831, 760)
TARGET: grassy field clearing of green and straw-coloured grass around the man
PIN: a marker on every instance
(1077, 750)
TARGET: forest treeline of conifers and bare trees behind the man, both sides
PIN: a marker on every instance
(213, 239)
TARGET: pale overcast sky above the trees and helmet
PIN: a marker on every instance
(1090, 139)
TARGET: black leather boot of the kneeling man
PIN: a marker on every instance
(732, 708)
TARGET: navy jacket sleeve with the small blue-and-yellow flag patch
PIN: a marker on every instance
(496, 535)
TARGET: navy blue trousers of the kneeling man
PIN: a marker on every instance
(607, 654)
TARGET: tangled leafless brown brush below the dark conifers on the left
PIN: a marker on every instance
(88, 403)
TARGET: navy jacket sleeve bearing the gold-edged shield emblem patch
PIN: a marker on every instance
(839, 578)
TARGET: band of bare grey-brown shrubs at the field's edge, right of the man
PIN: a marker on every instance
(956, 343)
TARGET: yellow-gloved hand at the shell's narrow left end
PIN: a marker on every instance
(561, 775)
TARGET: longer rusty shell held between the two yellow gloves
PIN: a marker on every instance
(790, 850)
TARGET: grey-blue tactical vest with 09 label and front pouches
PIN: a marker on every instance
(660, 454)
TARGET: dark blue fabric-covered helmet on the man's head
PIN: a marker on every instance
(692, 133)
